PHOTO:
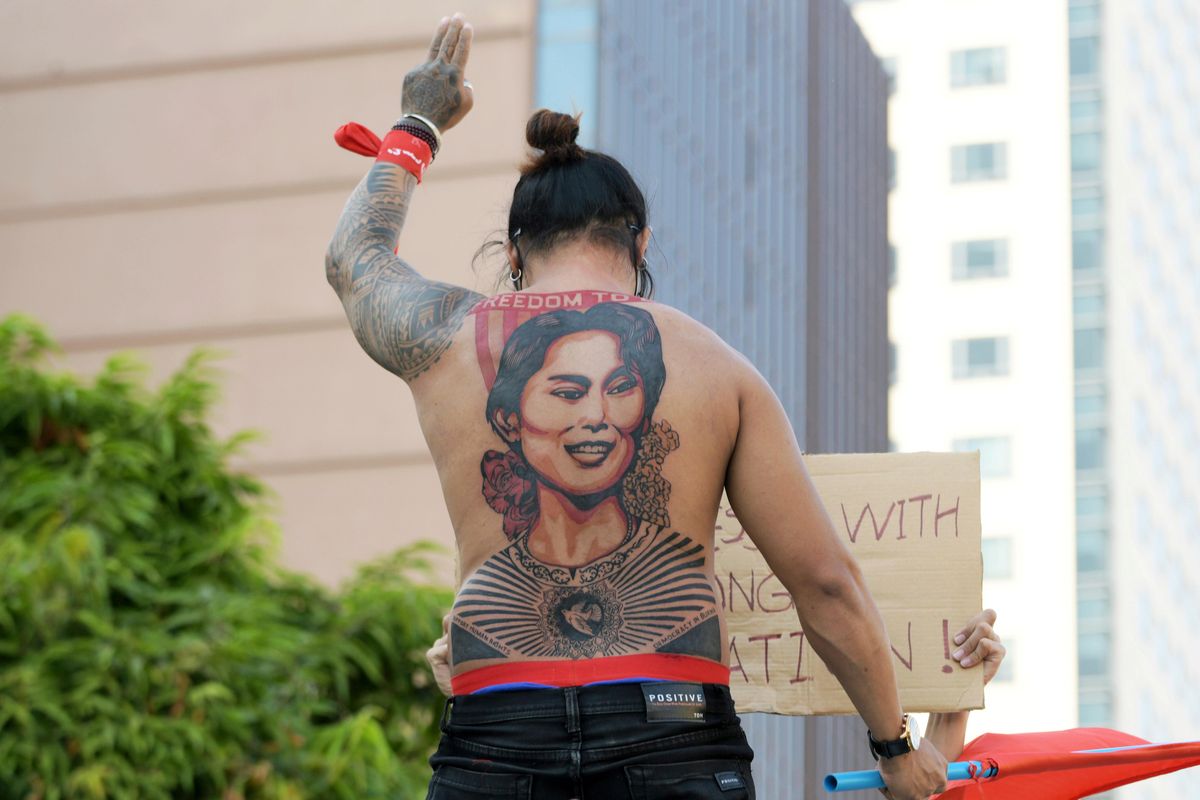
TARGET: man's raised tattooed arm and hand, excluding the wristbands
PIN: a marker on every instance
(404, 321)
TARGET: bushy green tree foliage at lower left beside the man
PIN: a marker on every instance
(149, 646)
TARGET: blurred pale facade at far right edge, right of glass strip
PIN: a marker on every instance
(1148, 83)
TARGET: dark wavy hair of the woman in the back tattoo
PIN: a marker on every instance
(525, 354)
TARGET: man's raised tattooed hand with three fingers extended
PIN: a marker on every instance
(437, 89)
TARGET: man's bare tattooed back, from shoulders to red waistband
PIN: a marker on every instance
(583, 441)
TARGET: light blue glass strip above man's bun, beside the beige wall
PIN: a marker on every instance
(567, 77)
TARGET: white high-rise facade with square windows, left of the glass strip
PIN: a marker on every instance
(981, 306)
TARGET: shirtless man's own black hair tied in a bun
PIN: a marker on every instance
(569, 193)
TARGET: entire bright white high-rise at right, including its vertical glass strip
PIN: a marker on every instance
(1045, 311)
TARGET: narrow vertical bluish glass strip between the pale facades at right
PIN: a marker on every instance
(1093, 561)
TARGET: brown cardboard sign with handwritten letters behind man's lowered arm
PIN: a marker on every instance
(913, 524)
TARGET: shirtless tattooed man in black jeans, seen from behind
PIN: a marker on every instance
(584, 436)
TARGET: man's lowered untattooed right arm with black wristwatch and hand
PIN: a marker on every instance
(775, 500)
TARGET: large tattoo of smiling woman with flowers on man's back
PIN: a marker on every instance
(593, 568)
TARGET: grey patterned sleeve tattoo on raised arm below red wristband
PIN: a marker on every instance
(404, 321)
